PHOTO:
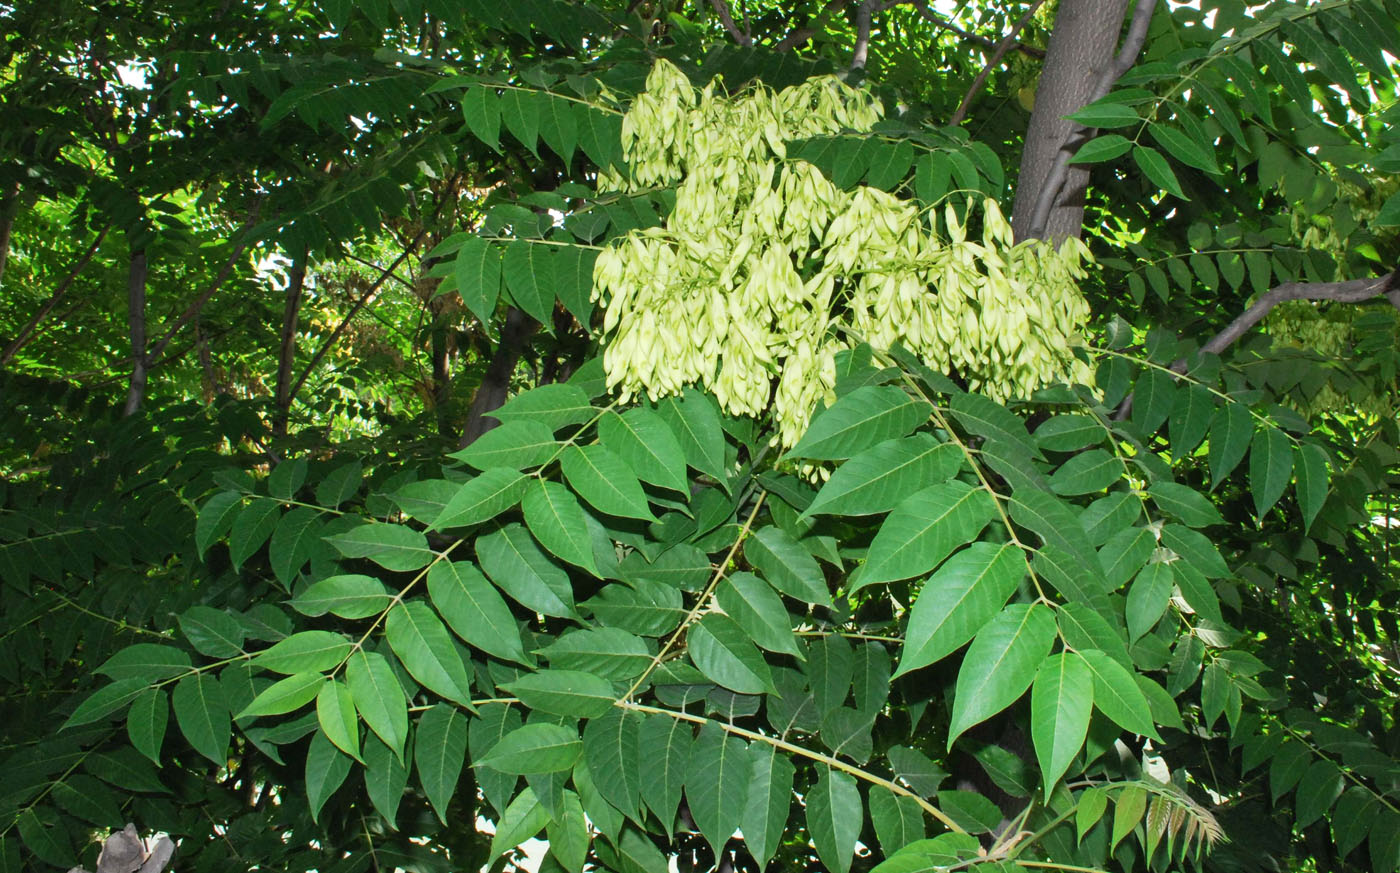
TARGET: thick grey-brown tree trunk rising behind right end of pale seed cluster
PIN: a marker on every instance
(1081, 47)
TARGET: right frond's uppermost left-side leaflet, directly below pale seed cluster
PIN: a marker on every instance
(859, 422)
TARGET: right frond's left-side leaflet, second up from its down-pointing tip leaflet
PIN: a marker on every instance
(960, 601)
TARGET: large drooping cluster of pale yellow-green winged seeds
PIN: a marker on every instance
(765, 269)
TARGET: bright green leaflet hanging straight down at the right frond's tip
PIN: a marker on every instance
(1062, 702)
